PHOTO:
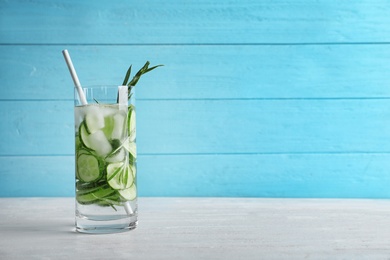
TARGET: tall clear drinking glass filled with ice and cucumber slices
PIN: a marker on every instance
(105, 160)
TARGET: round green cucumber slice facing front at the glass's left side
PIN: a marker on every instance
(88, 168)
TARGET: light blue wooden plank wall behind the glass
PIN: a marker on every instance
(271, 98)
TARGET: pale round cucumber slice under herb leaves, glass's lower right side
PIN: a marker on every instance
(120, 175)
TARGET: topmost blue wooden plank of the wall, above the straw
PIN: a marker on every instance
(193, 22)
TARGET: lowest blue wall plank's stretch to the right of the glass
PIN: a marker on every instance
(257, 175)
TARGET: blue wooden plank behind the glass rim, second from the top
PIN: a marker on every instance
(202, 72)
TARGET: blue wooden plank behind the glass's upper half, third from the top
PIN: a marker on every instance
(212, 126)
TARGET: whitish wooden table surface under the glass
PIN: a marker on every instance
(203, 228)
